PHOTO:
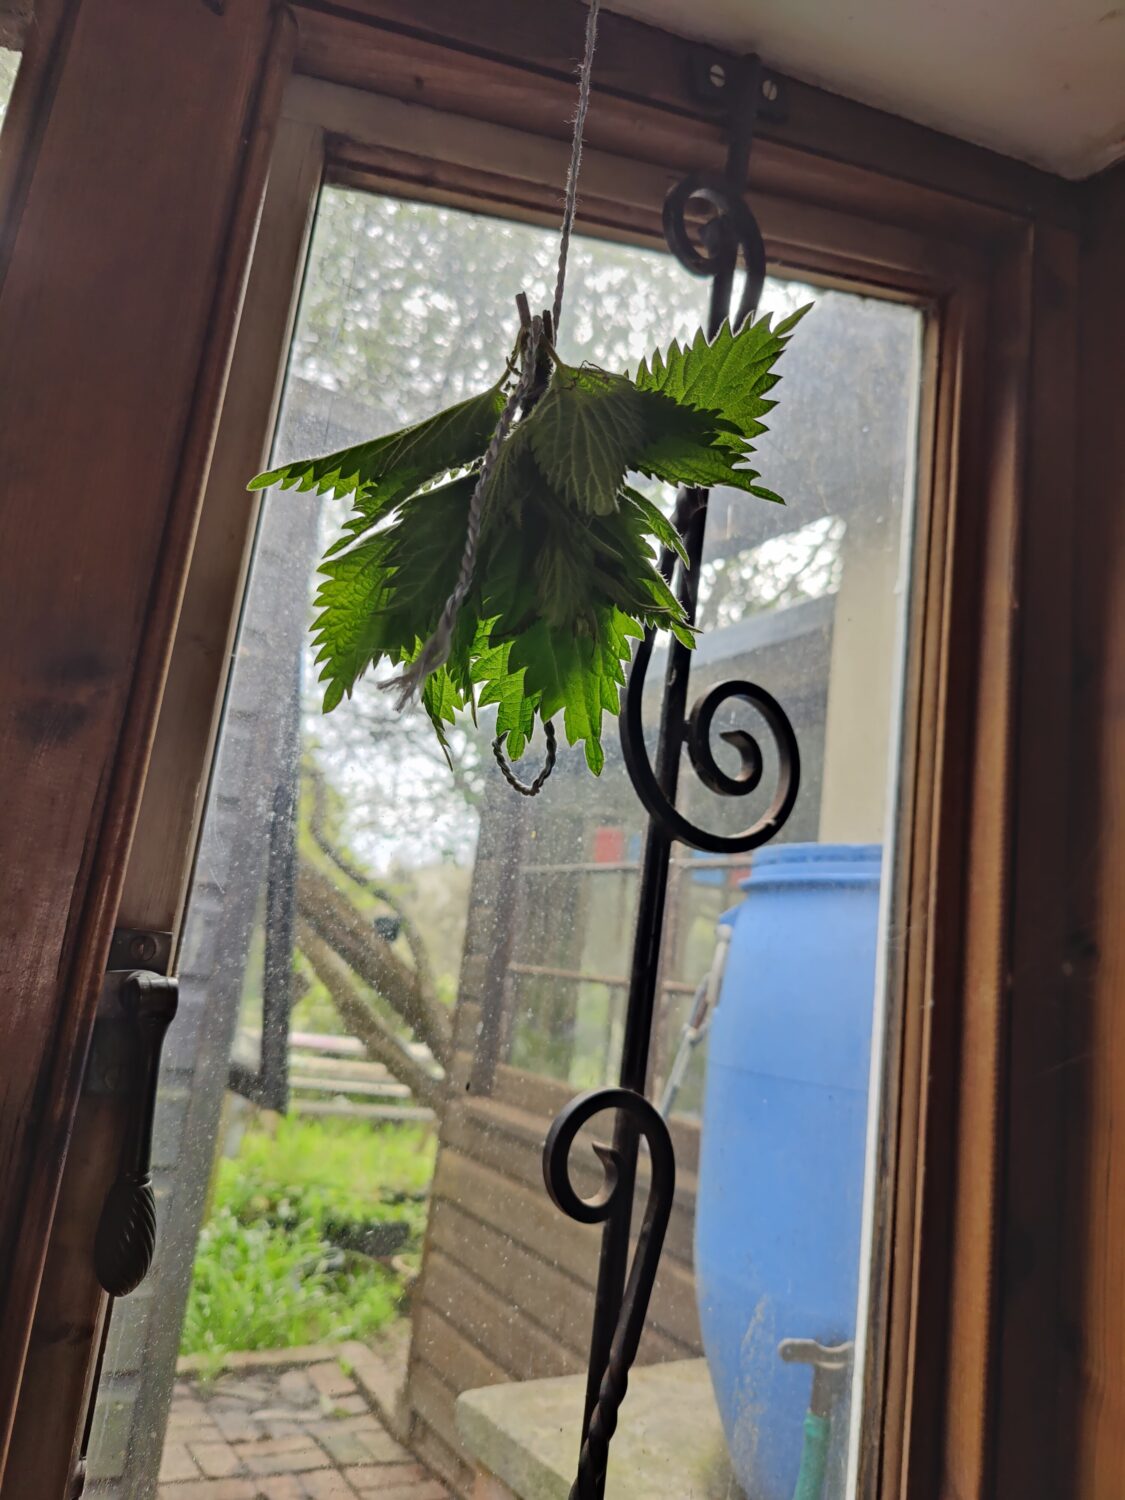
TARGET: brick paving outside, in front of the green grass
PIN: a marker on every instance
(286, 1435)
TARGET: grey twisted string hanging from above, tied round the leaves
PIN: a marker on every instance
(436, 652)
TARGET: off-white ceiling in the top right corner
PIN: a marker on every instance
(1040, 80)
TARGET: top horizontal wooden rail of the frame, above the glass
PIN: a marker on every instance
(401, 142)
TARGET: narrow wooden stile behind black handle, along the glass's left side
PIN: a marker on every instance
(70, 1300)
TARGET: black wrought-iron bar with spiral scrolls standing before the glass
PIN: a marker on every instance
(709, 245)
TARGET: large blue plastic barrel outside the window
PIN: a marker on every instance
(782, 1157)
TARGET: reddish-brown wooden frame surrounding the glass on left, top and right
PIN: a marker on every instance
(839, 188)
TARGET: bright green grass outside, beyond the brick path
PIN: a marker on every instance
(266, 1274)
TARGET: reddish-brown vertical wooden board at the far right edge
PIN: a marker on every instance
(1093, 1274)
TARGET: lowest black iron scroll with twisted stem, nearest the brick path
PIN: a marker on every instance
(647, 1123)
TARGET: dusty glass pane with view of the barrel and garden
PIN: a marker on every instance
(457, 959)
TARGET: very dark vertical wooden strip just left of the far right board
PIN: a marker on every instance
(1034, 1126)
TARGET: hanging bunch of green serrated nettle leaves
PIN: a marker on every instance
(566, 565)
